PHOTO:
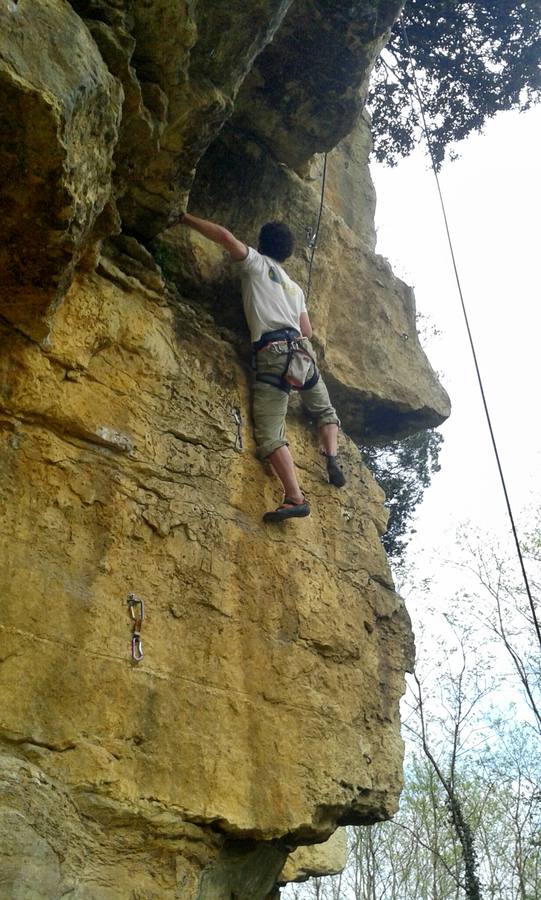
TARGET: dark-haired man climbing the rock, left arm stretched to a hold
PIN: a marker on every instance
(275, 310)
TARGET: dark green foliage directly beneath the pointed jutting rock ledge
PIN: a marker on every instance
(404, 469)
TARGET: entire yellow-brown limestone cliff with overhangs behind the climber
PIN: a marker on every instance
(265, 710)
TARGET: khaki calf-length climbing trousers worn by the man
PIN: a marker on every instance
(270, 403)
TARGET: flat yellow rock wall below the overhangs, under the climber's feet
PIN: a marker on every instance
(266, 703)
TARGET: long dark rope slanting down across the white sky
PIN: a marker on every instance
(470, 337)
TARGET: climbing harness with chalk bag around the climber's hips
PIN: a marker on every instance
(298, 361)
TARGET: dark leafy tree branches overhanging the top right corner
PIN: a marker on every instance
(472, 61)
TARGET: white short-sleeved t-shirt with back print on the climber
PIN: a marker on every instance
(272, 300)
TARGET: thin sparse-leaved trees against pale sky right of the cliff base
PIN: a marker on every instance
(469, 824)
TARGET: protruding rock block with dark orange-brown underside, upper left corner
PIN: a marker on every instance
(59, 117)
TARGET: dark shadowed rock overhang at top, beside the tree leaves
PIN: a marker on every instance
(307, 88)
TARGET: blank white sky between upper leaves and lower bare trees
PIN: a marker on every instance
(493, 200)
